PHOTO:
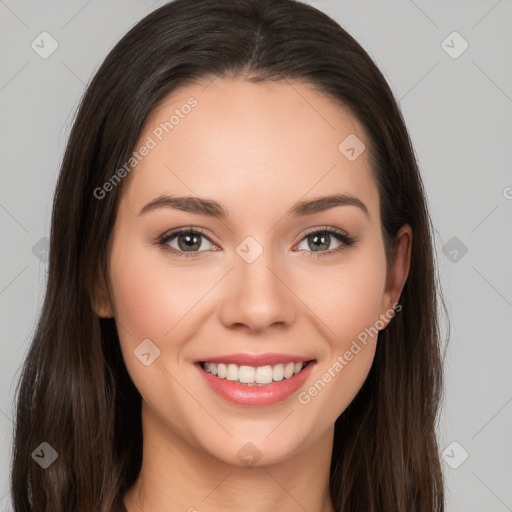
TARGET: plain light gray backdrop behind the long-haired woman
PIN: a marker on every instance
(458, 111)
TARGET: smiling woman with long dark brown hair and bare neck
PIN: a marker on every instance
(241, 311)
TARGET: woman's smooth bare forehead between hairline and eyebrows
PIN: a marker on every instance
(246, 143)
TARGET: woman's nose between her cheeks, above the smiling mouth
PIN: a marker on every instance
(256, 297)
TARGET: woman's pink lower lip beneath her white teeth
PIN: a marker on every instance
(256, 396)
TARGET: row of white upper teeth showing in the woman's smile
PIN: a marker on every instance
(253, 375)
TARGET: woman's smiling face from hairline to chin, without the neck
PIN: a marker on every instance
(264, 285)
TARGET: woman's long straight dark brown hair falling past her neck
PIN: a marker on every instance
(74, 392)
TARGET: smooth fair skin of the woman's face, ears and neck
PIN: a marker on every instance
(256, 149)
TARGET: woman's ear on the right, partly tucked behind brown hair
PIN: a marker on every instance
(399, 271)
